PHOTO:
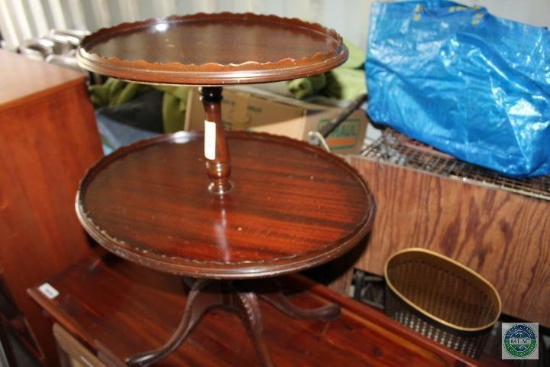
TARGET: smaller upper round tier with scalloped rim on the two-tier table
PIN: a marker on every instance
(213, 49)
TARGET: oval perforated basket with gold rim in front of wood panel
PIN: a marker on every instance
(441, 299)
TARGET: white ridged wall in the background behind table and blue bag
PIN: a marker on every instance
(24, 19)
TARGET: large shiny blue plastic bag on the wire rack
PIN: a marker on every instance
(463, 81)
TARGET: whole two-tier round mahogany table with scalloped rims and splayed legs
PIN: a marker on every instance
(230, 210)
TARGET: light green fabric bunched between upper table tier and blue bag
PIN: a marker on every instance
(345, 82)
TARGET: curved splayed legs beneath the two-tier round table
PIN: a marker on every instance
(240, 297)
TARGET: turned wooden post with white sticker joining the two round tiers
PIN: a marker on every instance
(216, 151)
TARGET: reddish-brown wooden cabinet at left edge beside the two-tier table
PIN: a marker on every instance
(48, 138)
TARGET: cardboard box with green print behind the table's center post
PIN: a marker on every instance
(279, 115)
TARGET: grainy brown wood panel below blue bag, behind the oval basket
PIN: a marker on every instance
(503, 236)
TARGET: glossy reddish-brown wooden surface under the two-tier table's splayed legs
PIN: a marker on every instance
(118, 309)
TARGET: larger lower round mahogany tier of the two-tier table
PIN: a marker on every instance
(292, 206)
